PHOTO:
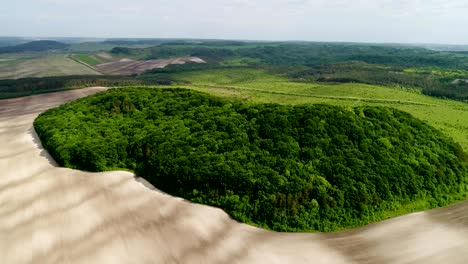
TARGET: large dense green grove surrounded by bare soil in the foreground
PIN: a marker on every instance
(286, 168)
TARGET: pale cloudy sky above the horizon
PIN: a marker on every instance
(388, 21)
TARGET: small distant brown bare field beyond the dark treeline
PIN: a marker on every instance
(129, 66)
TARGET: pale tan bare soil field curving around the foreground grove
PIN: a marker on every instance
(56, 215)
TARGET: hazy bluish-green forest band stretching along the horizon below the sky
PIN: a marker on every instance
(312, 54)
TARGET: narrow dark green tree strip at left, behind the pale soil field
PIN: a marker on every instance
(11, 88)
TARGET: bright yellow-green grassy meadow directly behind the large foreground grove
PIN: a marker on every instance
(261, 86)
